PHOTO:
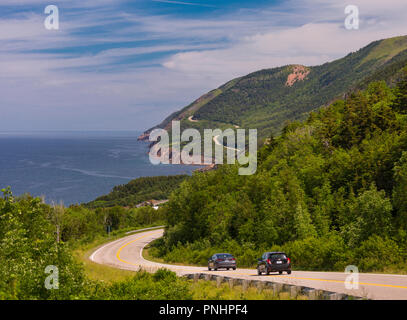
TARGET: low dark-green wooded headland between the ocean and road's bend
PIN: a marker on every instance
(139, 190)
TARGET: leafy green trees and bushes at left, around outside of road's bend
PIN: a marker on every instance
(34, 235)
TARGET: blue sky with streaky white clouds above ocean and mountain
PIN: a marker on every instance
(128, 64)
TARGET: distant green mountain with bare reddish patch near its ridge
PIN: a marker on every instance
(268, 98)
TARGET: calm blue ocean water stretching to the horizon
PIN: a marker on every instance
(75, 167)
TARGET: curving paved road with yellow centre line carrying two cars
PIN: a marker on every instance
(126, 253)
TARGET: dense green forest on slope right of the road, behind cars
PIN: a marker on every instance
(330, 191)
